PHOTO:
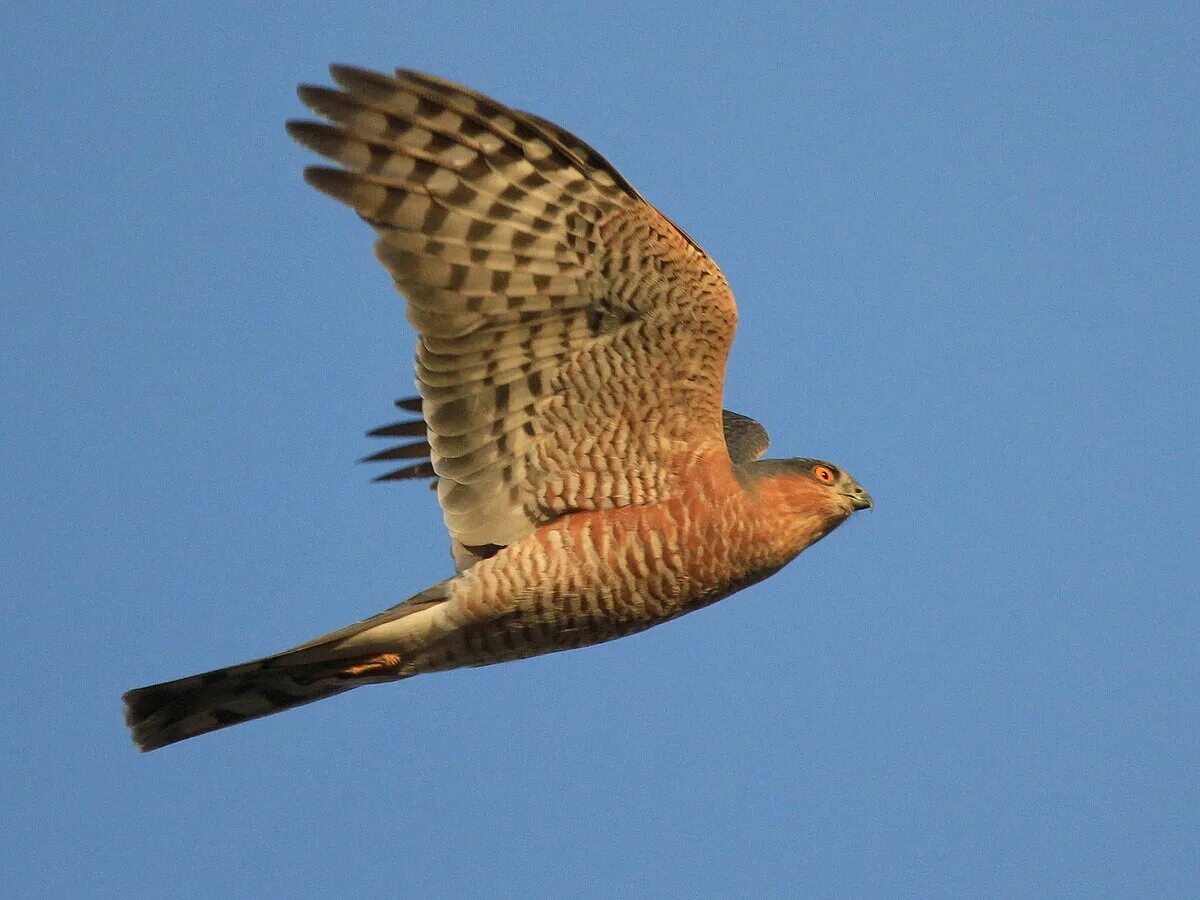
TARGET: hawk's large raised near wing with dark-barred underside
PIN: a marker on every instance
(573, 341)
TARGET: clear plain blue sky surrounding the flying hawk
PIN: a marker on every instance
(965, 250)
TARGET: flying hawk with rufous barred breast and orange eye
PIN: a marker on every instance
(571, 362)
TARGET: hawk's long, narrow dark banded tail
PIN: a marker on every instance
(163, 715)
